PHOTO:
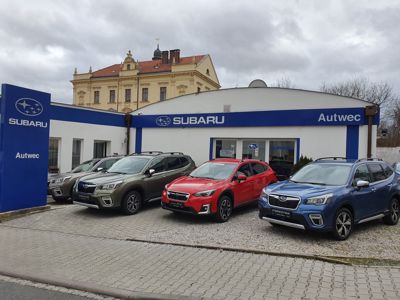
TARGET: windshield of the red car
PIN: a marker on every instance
(214, 170)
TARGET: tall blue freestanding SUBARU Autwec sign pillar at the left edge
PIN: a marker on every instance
(24, 146)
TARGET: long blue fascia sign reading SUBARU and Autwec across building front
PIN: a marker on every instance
(300, 117)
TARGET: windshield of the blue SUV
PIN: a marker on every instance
(323, 174)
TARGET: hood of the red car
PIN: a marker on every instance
(191, 185)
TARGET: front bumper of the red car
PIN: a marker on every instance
(193, 205)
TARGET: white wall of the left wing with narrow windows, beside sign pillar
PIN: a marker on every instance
(67, 131)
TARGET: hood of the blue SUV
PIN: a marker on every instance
(302, 190)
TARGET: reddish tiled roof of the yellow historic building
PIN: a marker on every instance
(151, 66)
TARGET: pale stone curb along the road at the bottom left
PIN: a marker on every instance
(93, 288)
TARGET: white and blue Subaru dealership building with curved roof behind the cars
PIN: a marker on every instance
(270, 124)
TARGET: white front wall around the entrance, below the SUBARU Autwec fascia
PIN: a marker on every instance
(314, 141)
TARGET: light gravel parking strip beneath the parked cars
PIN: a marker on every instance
(244, 231)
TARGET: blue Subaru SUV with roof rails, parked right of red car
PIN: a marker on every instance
(333, 194)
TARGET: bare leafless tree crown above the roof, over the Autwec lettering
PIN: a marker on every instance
(380, 93)
